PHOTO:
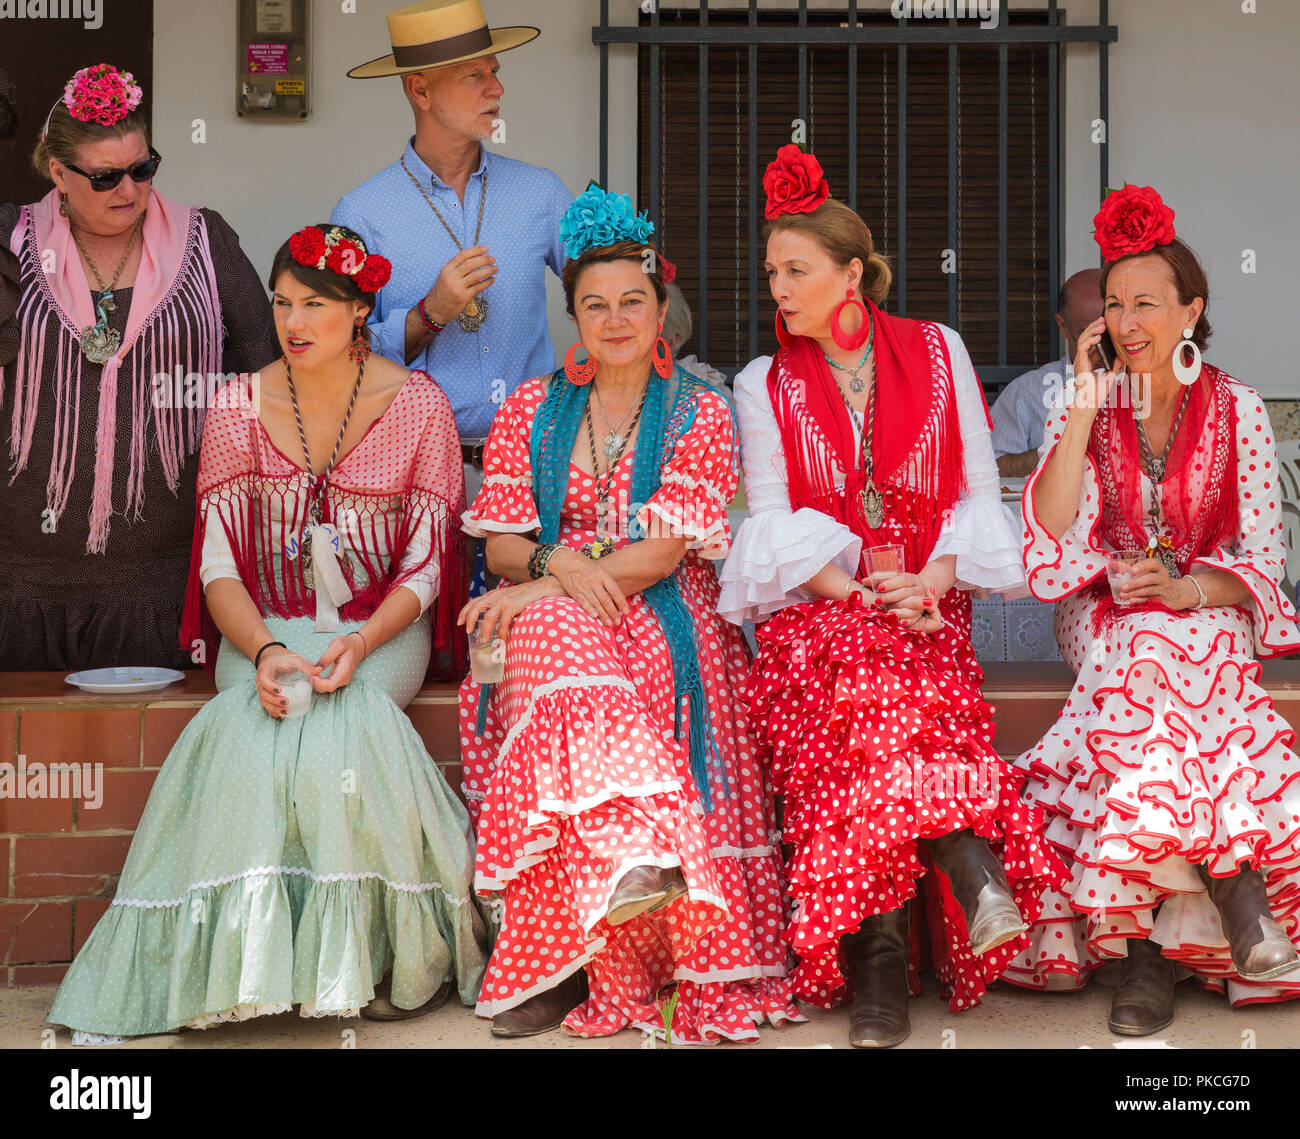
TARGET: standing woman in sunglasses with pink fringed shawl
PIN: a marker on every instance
(120, 311)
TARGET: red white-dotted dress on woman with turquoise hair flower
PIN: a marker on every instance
(578, 777)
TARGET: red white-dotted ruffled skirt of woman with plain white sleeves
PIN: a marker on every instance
(878, 739)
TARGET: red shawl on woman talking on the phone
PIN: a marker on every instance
(1199, 493)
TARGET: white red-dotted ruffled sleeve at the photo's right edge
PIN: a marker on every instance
(1258, 558)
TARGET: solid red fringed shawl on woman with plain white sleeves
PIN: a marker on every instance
(917, 448)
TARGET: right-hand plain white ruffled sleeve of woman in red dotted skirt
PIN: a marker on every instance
(980, 531)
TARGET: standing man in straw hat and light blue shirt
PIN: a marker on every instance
(470, 235)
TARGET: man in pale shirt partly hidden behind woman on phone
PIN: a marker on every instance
(1021, 412)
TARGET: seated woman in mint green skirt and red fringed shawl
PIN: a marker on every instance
(314, 860)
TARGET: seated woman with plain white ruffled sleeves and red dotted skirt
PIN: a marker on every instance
(868, 704)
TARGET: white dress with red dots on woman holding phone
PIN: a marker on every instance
(1169, 752)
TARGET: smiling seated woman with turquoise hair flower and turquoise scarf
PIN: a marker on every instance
(622, 815)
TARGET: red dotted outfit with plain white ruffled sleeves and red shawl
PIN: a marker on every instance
(878, 737)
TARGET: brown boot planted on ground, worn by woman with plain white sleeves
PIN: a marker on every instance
(878, 968)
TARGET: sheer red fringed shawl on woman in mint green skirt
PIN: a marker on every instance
(402, 482)
